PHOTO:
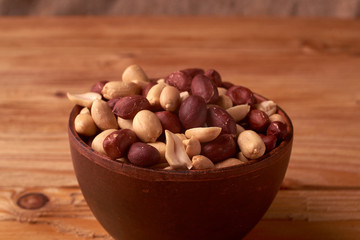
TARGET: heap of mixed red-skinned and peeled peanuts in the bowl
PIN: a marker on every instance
(189, 120)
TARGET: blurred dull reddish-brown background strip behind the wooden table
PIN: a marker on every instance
(307, 8)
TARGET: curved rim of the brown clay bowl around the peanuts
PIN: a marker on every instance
(178, 175)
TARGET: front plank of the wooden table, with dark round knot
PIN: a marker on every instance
(67, 215)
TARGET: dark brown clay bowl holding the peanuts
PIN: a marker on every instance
(138, 203)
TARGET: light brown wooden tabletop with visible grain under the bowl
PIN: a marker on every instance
(311, 68)
